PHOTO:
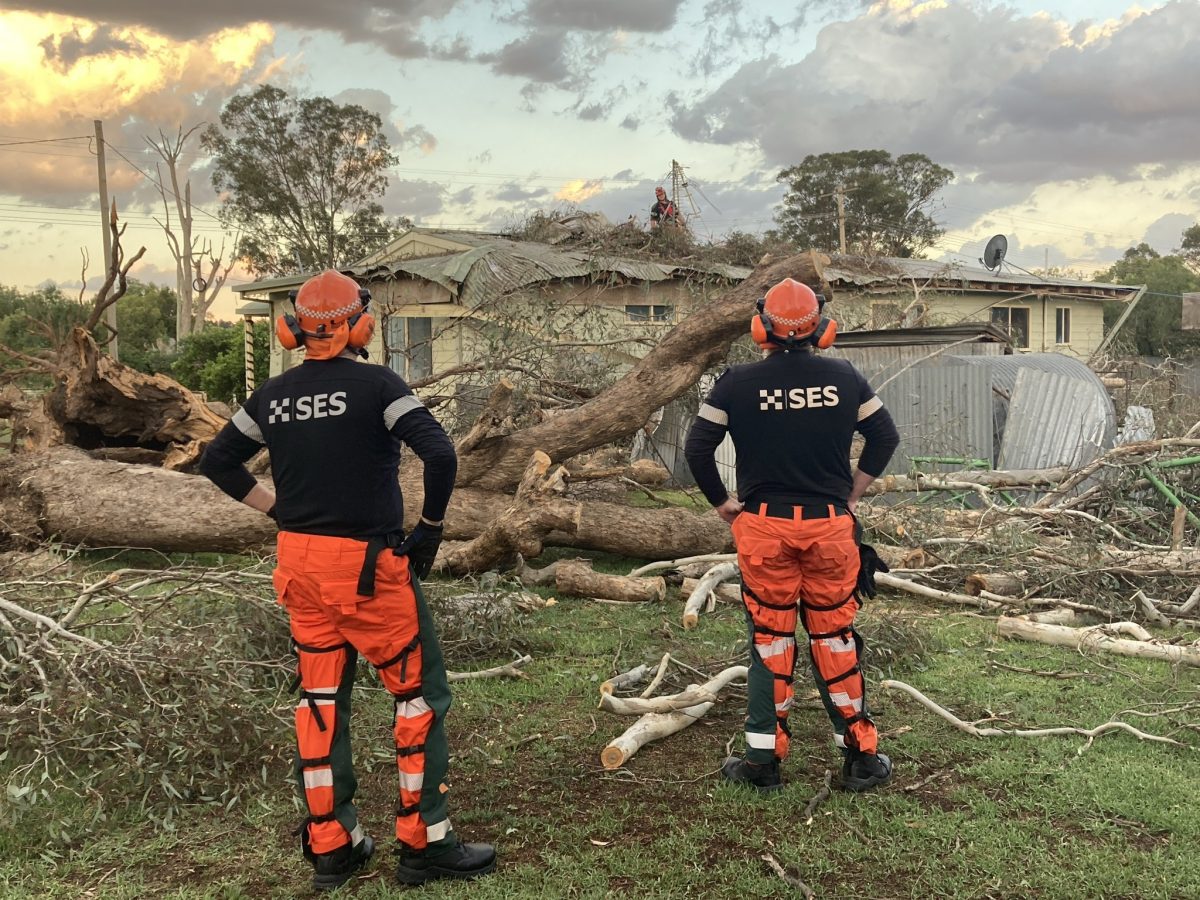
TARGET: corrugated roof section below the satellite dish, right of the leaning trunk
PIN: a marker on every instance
(863, 272)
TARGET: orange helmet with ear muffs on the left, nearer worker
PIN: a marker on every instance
(332, 315)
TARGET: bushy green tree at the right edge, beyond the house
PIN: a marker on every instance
(1155, 328)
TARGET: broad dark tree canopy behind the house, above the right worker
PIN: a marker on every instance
(887, 202)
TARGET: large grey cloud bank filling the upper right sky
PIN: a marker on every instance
(1036, 111)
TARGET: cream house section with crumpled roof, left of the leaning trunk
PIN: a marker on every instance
(447, 299)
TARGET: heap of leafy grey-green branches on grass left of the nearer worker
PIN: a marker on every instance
(153, 687)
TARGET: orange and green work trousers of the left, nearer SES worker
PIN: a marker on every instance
(317, 581)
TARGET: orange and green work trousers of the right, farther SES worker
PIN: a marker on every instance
(801, 561)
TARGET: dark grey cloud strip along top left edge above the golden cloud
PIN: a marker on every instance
(393, 26)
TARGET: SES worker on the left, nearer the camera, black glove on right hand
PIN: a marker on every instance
(334, 430)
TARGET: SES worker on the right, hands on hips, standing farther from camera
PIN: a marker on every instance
(793, 417)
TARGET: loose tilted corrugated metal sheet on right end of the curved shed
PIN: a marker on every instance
(1054, 419)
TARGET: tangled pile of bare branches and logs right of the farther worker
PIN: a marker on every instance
(1112, 541)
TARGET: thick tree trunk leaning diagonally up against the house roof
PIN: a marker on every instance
(674, 367)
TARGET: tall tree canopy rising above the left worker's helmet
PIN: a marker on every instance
(301, 179)
